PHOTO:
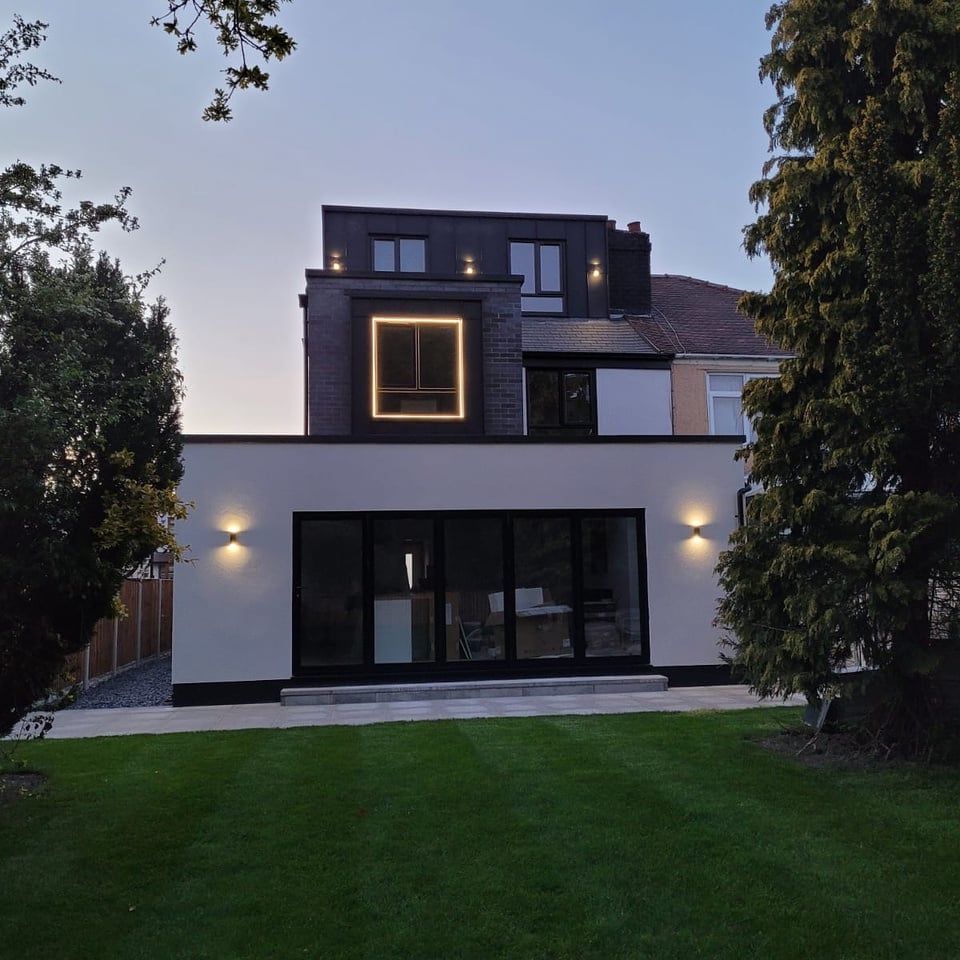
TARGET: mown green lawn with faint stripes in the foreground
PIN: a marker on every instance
(643, 835)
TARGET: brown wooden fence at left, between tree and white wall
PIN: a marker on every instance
(145, 632)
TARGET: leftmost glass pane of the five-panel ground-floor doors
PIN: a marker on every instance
(331, 579)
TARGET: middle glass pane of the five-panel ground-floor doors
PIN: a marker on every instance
(474, 575)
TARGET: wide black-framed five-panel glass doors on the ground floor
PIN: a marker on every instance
(420, 594)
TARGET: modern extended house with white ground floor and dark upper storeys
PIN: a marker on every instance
(491, 481)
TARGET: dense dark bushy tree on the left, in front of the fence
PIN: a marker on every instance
(89, 430)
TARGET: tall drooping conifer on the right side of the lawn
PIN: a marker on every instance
(853, 549)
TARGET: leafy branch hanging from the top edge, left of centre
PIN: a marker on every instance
(245, 28)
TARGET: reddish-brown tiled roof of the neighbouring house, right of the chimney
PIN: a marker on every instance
(696, 317)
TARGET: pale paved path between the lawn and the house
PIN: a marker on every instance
(115, 722)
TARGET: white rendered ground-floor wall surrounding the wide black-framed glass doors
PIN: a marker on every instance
(233, 604)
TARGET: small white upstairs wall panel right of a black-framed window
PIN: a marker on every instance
(633, 403)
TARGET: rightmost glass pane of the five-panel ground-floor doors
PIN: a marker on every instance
(613, 622)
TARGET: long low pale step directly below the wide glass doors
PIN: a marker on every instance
(469, 689)
